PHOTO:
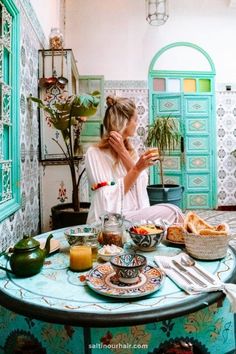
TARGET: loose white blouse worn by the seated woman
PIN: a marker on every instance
(100, 167)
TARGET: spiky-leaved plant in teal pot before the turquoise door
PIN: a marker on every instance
(165, 135)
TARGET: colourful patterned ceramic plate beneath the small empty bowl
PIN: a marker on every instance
(103, 280)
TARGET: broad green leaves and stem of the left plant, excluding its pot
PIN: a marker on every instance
(68, 115)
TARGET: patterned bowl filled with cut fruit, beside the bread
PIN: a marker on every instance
(146, 236)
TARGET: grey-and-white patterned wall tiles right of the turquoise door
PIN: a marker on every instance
(226, 143)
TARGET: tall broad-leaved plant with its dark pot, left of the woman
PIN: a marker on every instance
(68, 115)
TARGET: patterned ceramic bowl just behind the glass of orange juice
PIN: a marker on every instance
(82, 235)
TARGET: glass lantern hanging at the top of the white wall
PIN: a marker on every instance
(157, 12)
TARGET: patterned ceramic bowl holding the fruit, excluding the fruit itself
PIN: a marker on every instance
(147, 242)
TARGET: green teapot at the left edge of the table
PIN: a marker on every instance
(27, 257)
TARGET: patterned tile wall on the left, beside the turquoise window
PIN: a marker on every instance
(26, 219)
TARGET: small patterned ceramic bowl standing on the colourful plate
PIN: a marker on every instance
(128, 267)
